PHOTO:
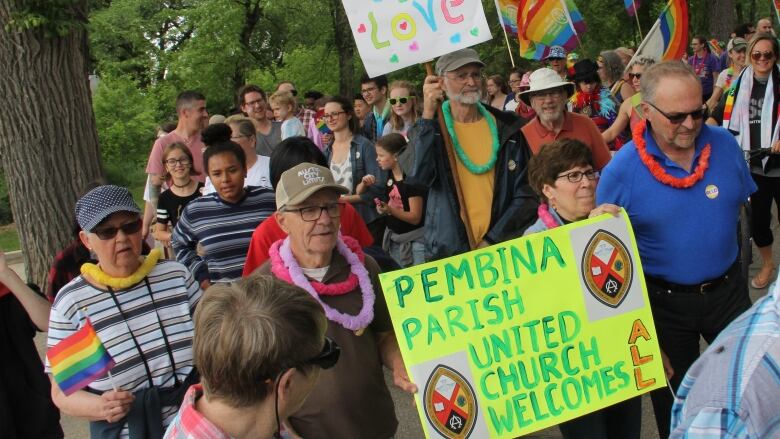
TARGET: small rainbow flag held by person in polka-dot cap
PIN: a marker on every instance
(79, 359)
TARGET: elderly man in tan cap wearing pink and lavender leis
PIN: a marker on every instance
(351, 400)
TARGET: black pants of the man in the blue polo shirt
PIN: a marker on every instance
(680, 319)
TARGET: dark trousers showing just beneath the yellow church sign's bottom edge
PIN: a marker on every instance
(619, 421)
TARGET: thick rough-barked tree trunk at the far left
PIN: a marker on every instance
(48, 140)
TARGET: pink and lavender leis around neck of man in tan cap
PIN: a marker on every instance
(285, 267)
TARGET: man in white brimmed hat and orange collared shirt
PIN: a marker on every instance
(548, 95)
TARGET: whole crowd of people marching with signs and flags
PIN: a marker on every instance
(244, 300)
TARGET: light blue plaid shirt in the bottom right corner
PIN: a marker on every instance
(733, 389)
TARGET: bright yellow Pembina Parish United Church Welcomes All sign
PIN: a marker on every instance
(526, 334)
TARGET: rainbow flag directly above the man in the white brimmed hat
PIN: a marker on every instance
(545, 23)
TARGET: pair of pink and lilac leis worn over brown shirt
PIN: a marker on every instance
(356, 323)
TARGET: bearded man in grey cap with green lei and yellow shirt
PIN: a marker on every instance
(491, 157)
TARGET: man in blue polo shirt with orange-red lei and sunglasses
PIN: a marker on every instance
(682, 183)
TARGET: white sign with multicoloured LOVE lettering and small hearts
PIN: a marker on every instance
(393, 34)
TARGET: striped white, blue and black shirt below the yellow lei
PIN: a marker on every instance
(174, 294)
